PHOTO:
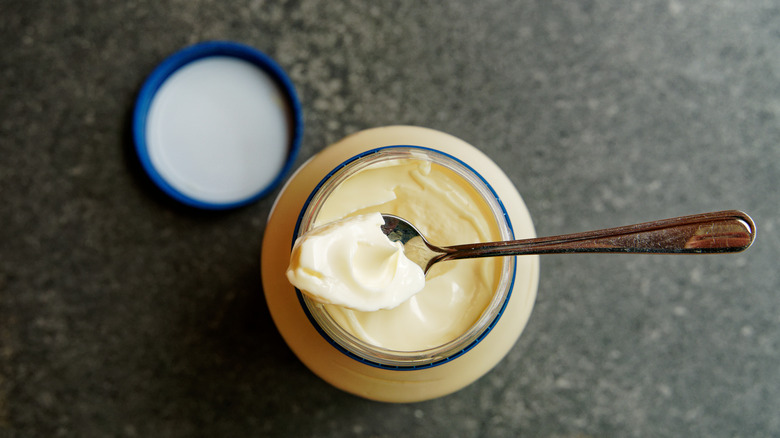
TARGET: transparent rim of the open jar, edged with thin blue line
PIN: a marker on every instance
(378, 356)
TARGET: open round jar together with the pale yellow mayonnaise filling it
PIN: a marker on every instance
(470, 313)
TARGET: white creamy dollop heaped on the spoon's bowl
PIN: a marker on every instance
(351, 263)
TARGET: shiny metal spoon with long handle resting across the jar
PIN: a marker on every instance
(717, 232)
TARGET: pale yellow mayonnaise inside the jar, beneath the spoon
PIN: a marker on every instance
(448, 211)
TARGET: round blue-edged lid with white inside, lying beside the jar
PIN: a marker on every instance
(217, 125)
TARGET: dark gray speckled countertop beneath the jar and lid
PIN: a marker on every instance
(123, 314)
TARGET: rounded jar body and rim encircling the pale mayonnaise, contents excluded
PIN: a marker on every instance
(357, 366)
